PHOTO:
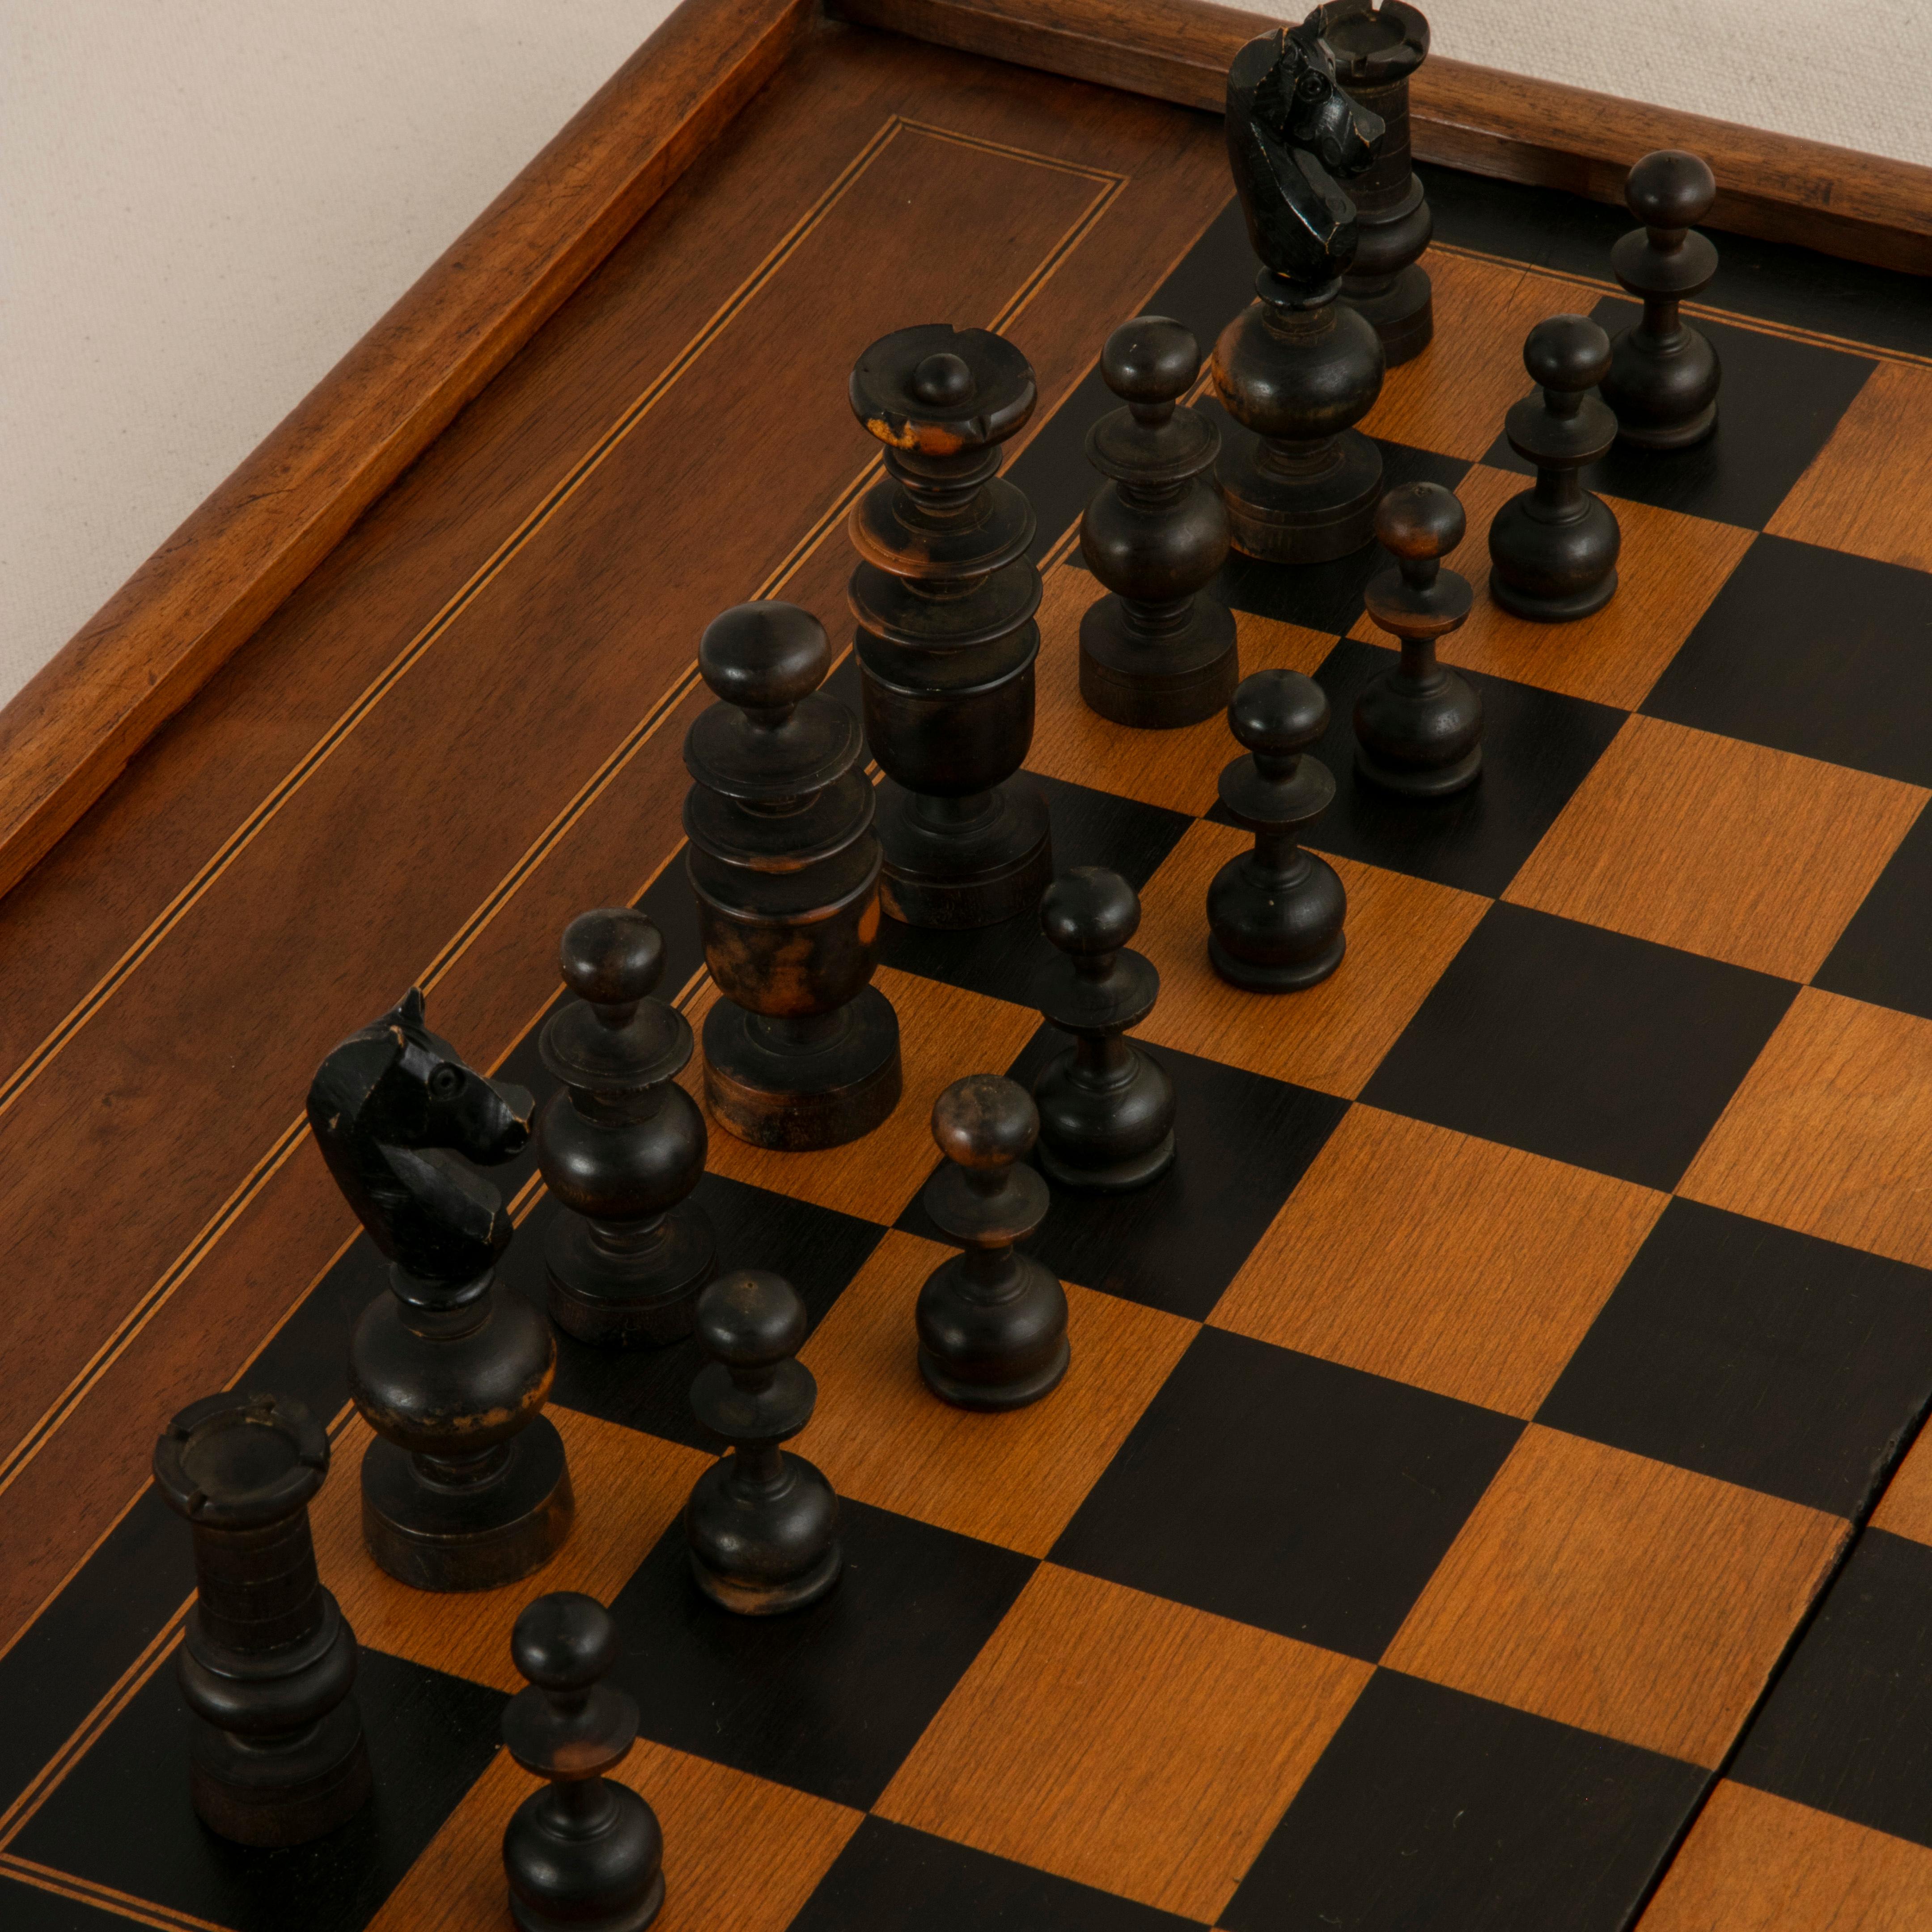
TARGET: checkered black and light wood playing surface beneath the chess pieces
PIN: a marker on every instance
(1473, 1498)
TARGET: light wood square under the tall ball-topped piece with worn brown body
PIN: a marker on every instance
(944, 1035)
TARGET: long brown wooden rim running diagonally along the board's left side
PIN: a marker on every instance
(171, 627)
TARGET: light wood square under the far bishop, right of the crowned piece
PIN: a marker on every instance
(1160, 768)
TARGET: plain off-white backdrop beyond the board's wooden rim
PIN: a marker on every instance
(204, 204)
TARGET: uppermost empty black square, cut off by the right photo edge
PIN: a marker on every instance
(1813, 652)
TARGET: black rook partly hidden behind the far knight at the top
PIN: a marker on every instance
(1377, 51)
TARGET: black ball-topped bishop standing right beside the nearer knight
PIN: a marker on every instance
(623, 1145)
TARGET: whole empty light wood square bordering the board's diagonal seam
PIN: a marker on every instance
(1620, 1595)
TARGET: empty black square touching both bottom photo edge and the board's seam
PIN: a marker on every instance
(1436, 1809)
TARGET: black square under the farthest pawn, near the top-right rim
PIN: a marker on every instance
(1776, 412)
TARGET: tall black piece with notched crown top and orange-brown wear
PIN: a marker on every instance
(946, 598)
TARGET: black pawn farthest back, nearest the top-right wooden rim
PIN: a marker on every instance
(1664, 376)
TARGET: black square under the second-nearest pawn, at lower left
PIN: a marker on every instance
(834, 1697)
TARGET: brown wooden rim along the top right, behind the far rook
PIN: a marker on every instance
(1775, 186)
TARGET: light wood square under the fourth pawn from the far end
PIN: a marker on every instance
(1402, 934)
